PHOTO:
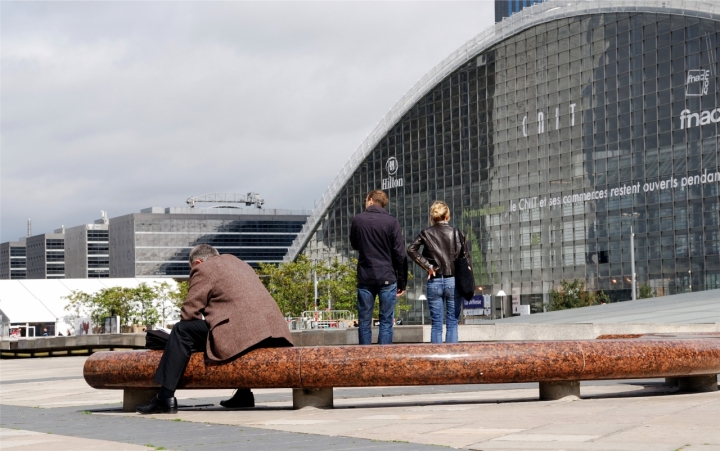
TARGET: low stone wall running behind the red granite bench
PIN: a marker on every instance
(87, 344)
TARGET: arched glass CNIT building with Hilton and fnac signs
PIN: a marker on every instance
(540, 134)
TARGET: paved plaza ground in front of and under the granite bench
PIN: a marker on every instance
(46, 403)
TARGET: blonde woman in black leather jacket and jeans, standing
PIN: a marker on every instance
(442, 244)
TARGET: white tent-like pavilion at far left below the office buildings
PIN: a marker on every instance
(43, 300)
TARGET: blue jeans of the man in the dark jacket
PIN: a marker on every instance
(366, 301)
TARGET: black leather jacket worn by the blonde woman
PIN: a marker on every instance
(441, 246)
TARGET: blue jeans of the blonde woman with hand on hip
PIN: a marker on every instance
(443, 299)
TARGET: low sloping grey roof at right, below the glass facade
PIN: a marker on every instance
(702, 307)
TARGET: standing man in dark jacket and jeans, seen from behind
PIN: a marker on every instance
(382, 265)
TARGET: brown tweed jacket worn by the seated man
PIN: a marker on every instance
(239, 311)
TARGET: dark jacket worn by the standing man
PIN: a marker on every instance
(377, 238)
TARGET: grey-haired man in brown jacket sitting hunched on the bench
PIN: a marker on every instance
(238, 312)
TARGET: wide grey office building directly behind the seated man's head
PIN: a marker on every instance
(157, 241)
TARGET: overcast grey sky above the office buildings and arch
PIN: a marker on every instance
(119, 106)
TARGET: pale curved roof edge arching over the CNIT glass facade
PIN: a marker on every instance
(529, 17)
